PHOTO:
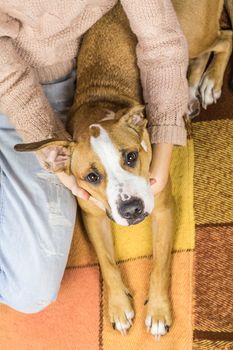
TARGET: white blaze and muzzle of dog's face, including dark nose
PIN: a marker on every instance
(129, 195)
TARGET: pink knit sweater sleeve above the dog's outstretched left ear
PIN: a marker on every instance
(21, 97)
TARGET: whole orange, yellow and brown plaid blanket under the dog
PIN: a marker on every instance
(201, 286)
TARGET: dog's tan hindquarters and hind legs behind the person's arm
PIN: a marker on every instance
(210, 48)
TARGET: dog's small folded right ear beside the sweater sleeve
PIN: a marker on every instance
(135, 118)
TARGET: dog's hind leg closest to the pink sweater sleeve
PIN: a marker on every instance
(196, 69)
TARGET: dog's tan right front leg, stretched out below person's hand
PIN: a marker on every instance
(158, 318)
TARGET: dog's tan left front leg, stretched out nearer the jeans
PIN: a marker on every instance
(119, 306)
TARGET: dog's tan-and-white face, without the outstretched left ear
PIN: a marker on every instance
(119, 157)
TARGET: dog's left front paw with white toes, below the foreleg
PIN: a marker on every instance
(120, 311)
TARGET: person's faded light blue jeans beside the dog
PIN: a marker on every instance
(37, 216)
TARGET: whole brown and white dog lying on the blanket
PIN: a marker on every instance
(110, 152)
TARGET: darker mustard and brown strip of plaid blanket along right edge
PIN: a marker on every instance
(213, 198)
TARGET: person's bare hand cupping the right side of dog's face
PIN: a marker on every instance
(160, 166)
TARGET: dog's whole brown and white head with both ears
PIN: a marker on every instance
(111, 161)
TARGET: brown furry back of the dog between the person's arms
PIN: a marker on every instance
(107, 69)
